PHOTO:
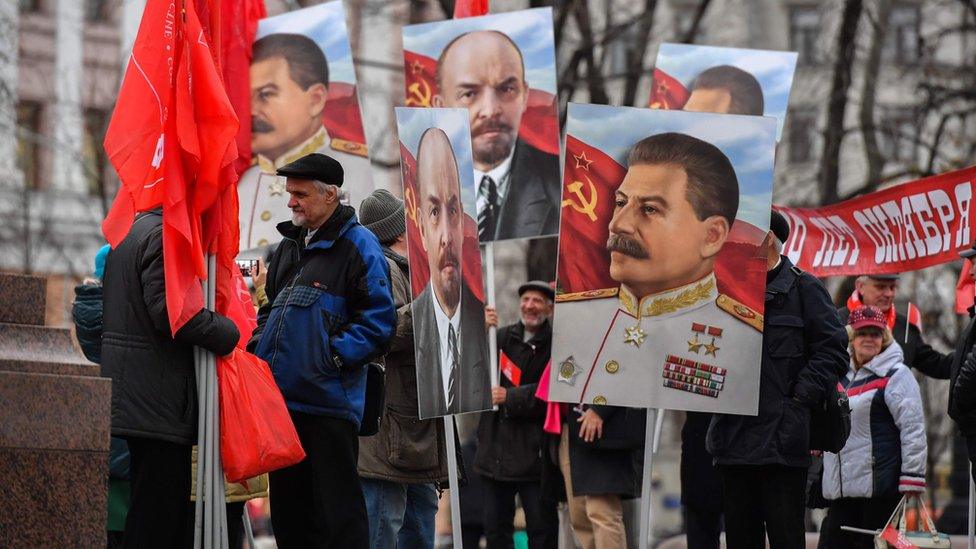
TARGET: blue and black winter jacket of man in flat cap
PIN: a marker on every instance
(329, 312)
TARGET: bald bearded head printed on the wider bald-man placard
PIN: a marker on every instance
(483, 71)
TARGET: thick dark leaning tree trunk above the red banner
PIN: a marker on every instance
(837, 105)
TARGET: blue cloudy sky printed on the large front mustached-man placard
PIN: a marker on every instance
(748, 141)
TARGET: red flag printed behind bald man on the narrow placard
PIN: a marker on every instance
(470, 250)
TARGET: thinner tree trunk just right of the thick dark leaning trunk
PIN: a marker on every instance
(869, 89)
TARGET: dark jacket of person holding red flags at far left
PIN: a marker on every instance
(154, 392)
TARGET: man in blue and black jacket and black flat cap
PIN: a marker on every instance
(329, 313)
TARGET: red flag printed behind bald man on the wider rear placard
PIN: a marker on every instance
(540, 121)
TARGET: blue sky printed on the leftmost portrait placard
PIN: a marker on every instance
(326, 25)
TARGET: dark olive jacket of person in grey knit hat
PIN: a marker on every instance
(406, 449)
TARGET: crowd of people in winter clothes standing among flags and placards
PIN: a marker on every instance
(336, 296)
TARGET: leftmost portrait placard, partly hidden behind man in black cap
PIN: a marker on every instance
(303, 100)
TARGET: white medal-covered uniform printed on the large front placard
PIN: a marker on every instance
(686, 348)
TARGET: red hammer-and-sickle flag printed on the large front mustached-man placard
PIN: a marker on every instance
(591, 177)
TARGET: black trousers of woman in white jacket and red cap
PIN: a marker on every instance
(868, 513)
